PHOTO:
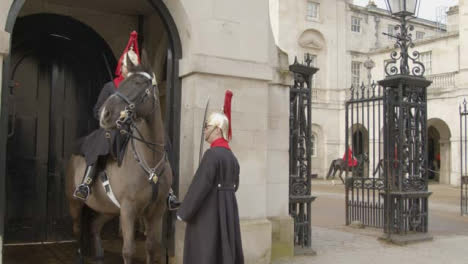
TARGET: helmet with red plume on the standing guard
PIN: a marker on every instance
(223, 119)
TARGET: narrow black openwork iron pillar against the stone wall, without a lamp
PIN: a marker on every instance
(300, 129)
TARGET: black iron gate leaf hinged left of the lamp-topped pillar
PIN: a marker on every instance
(364, 156)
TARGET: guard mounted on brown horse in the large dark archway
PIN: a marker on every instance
(132, 186)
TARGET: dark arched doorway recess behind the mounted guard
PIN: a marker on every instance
(58, 66)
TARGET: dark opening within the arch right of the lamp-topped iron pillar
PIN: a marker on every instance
(433, 153)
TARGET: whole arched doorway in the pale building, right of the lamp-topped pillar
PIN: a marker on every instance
(438, 150)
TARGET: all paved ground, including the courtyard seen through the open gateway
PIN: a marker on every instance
(335, 243)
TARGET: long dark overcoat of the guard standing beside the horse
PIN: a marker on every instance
(210, 210)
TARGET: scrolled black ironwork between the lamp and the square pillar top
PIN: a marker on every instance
(404, 42)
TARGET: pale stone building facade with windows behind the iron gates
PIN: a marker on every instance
(342, 37)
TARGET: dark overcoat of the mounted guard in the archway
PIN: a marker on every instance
(96, 143)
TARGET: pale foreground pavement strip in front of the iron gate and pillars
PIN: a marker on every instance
(348, 247)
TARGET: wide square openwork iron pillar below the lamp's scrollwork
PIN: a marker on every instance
(405, 155)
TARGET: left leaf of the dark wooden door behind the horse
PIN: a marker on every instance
(28, 150)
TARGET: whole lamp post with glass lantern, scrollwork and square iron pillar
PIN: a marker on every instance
(405, 135)
